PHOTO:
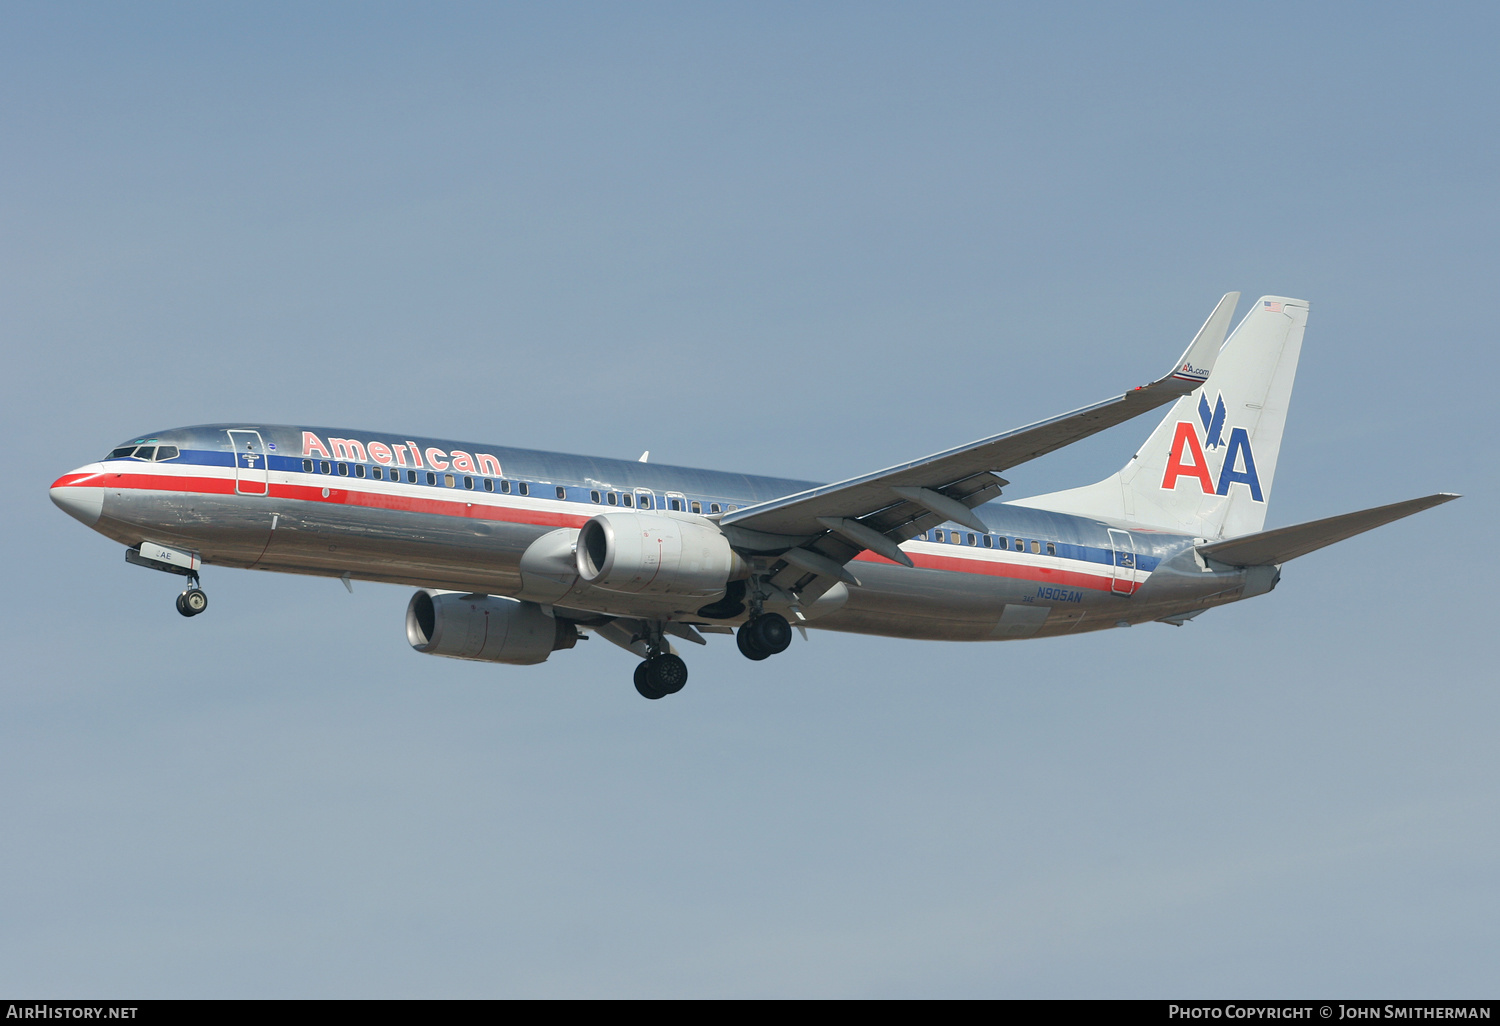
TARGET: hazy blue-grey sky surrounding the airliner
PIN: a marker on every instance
(793, 239)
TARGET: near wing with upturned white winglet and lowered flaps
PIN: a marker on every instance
(823, 529)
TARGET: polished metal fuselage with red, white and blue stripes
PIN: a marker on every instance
(1036, 574)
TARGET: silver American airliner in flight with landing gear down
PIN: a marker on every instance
(518, 553)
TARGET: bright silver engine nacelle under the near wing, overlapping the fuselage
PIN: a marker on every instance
(649, 554)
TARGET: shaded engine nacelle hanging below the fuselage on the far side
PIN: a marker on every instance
(485, 628)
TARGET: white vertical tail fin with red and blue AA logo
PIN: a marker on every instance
(1208, 467)
